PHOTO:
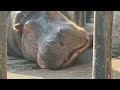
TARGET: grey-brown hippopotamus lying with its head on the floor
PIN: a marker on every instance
(46, 37)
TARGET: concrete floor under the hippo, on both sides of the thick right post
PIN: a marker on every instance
(23, 69)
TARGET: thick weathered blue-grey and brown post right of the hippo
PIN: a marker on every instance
(102, 45)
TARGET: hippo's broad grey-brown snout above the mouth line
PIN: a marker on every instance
(59, 47)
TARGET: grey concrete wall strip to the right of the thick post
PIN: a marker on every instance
(116, 34)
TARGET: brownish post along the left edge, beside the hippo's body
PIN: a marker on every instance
(3, 45)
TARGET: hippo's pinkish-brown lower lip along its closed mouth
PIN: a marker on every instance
(68, 61)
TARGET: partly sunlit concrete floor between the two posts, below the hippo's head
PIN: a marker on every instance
(23, 69)
